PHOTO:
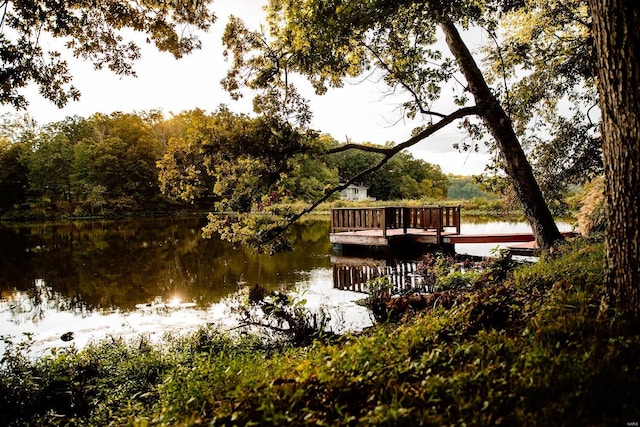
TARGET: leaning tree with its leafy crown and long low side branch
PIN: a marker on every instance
(329, 41)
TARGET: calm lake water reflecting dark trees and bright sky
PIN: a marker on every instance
(146, 277)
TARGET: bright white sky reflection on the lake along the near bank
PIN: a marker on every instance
(47, 325)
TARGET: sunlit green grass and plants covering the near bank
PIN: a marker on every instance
(513, 345)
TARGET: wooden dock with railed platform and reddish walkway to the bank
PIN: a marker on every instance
(389, 227)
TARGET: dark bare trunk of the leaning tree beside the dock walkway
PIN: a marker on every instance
(517, 166)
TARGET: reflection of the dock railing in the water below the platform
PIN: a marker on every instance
(357, 274)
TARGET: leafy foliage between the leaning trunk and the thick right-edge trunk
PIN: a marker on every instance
(543, 70)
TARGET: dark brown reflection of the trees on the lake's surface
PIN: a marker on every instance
(117, 264)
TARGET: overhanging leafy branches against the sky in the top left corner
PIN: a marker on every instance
(93, 30)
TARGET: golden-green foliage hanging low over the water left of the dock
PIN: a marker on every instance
(242, 161)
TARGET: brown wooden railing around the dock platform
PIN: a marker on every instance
(392, 218)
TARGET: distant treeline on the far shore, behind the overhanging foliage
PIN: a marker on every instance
(144, 162)
